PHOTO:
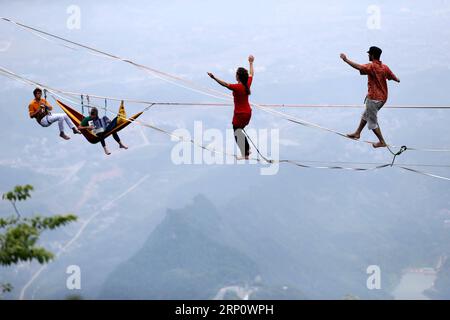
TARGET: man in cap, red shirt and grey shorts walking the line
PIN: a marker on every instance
(377, 74)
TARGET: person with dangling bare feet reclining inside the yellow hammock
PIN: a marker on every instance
(101, 126)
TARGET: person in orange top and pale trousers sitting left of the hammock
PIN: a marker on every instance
(40, 110)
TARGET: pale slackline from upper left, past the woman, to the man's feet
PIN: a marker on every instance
(200, 89)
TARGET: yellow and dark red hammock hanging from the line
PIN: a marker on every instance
(76, 117)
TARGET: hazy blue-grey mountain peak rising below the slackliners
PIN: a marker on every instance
(181, 260)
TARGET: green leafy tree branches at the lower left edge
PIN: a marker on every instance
(19, 236)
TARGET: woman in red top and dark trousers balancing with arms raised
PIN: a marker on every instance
(242, 110)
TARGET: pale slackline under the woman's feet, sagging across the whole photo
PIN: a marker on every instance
(60, 94)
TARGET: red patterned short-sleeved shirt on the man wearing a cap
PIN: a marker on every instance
(378, 74)
